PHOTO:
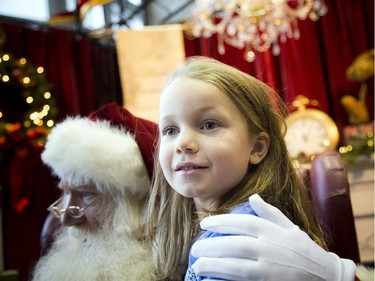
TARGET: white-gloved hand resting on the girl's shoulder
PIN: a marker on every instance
(268, 247)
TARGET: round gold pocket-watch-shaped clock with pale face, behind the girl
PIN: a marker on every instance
(309, 131)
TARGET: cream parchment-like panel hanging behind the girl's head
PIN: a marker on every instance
(146, 57)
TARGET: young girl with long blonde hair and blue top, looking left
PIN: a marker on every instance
(221, 140)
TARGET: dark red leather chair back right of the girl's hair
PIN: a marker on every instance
(331, 196)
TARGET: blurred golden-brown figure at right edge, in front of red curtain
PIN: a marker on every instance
(361, 70)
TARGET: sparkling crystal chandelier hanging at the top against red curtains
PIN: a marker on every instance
(252, 25)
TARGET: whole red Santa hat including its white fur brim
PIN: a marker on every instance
(110, 148)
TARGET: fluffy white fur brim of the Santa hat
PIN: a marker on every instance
(81, 151)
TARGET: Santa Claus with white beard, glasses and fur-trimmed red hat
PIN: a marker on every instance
(104, 165)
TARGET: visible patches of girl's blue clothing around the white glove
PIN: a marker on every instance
(243, 208)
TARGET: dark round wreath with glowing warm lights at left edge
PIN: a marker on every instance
(26, 102)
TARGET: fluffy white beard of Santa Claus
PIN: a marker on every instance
(77, 256)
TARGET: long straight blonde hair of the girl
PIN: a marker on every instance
(173, 219)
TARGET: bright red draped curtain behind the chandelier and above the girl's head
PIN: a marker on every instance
(315, 65)
